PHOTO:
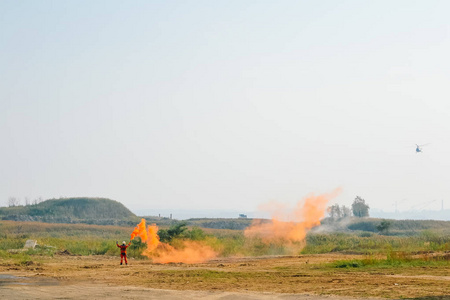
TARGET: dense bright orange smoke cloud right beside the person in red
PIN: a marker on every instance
(188, 252)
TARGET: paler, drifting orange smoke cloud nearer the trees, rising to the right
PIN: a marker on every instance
(294, 225)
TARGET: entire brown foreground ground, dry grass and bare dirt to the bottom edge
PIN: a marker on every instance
(293, 277)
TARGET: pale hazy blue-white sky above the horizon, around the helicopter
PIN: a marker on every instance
(225, 105)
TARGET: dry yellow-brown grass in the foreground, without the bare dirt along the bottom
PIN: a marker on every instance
(312, 274)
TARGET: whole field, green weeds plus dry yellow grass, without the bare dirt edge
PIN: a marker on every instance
(359, 264)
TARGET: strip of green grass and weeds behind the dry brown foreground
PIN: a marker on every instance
(82, 239)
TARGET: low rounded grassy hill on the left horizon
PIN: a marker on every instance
(99, 211)
